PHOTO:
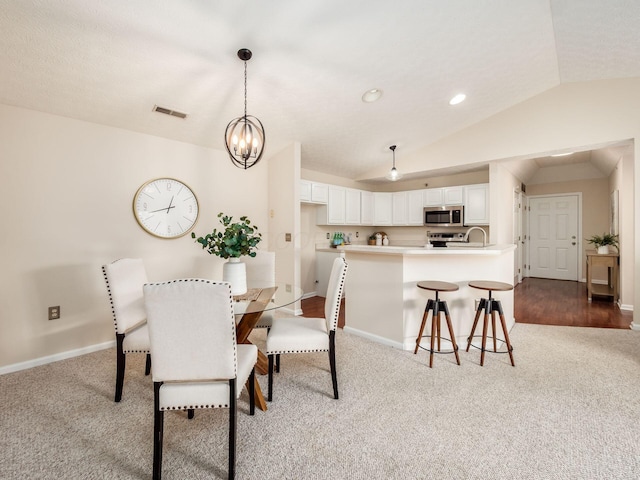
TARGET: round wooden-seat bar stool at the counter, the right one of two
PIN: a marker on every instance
(490, 306)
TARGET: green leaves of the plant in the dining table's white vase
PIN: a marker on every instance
(232, 241)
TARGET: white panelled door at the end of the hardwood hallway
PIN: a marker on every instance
(553, 228)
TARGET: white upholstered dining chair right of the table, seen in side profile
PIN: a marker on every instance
(304, 335)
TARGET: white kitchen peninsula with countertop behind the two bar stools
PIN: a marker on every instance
(386, 306)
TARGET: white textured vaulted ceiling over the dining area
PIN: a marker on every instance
(110, 62)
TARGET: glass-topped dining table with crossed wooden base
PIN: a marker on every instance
(249, 307)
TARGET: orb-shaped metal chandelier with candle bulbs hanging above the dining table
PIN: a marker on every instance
(244, 136)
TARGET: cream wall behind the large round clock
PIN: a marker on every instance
(66, 209)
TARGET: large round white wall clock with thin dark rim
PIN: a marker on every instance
(166, 208)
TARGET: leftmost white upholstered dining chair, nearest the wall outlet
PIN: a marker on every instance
(124, 279)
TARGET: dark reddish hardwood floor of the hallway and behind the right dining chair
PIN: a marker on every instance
(541, 301)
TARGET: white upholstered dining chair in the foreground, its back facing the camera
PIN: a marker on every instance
(197, 363)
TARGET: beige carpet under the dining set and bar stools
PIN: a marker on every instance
(570, 409)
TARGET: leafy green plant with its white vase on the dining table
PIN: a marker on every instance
(232, 242)
